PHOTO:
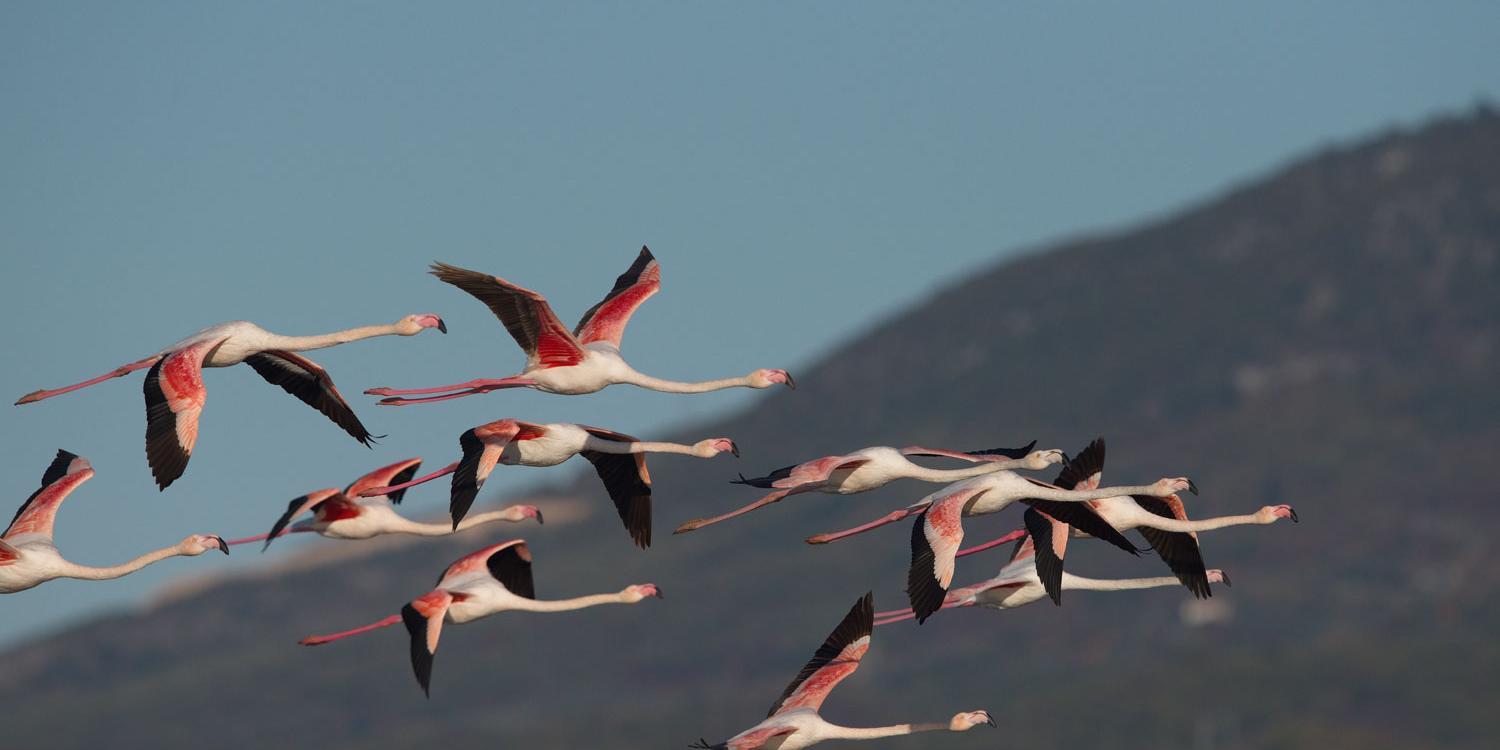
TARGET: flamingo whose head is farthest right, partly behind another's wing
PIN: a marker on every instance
(1163, 521)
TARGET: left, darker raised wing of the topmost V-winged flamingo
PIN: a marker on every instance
(524, 313)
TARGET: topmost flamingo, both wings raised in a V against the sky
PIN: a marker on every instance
(559, 362)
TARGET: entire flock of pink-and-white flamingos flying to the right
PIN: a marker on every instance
(584, 361)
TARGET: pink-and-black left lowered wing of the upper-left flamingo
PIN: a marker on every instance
(175, 395)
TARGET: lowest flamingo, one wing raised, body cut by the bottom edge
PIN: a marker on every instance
(796, 722)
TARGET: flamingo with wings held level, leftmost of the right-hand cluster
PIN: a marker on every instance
(874, 469)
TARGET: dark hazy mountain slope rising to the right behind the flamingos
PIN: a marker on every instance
(1327, 337)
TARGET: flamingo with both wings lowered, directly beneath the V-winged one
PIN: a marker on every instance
(619, 460)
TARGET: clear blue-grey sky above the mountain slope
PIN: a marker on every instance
(802, 170)
